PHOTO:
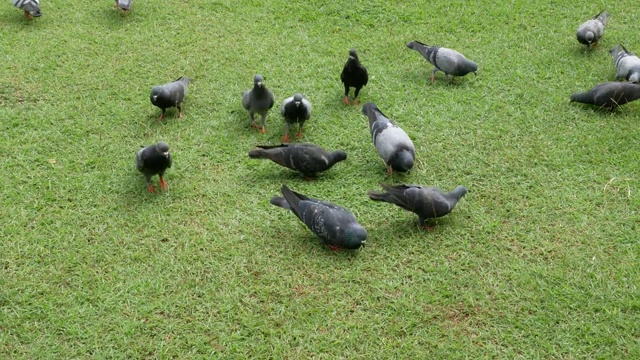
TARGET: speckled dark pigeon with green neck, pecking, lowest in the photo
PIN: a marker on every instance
(333, 224)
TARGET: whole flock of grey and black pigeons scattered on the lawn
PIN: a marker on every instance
(336, 226)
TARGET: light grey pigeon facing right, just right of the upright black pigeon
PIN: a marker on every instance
(449, 61)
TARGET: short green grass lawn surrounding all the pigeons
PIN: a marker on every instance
(539, 260)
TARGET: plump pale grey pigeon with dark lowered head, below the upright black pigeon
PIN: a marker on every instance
(393, 145)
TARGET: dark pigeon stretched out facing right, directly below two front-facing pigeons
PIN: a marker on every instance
(307, 159)
